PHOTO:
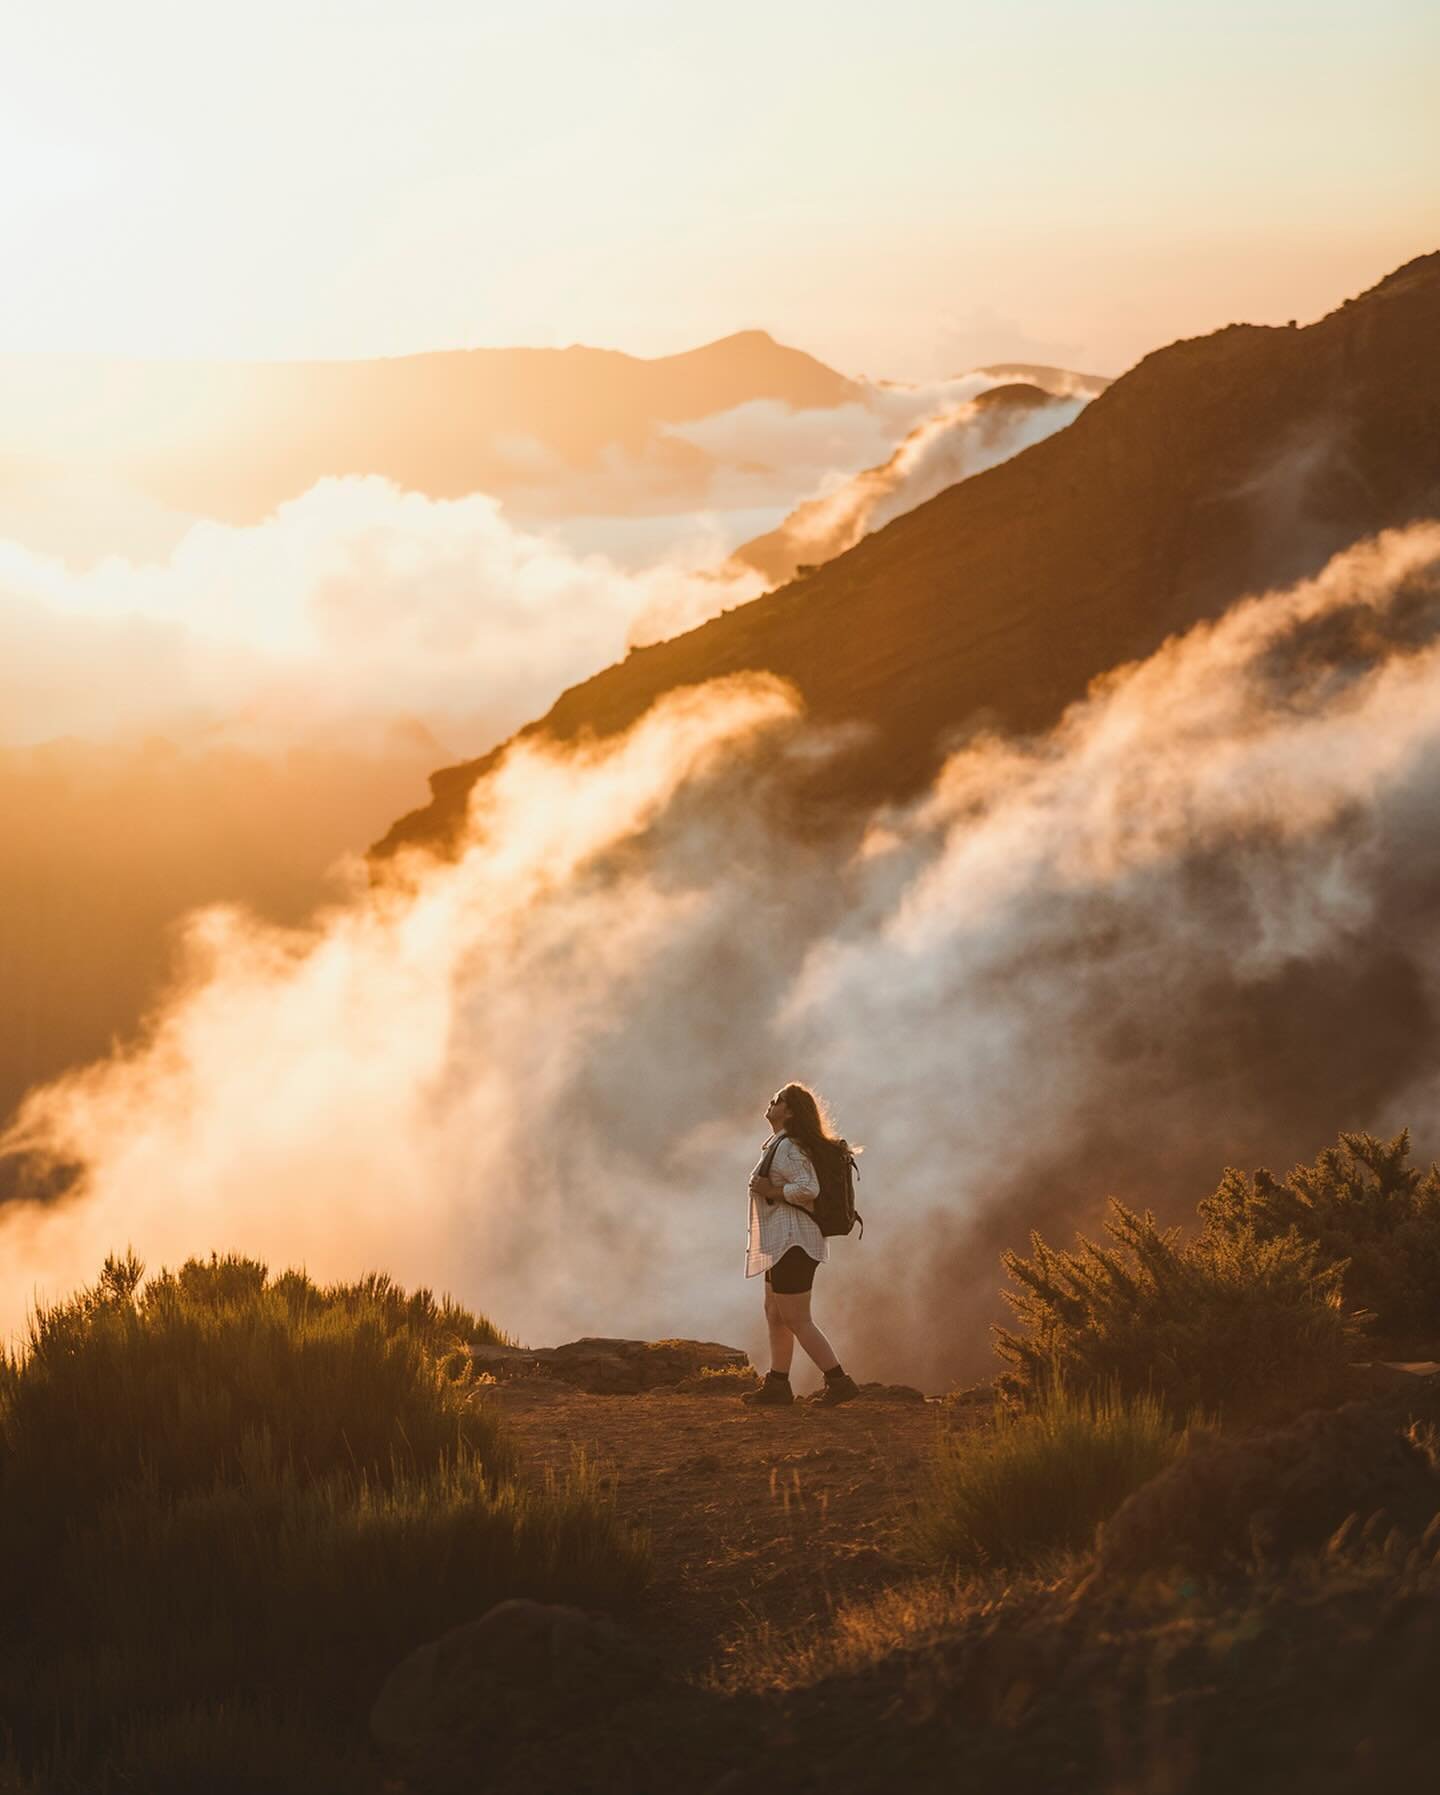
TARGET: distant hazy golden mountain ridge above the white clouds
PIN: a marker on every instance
(233, 441)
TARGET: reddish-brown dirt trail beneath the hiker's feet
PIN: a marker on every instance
(755, 1514)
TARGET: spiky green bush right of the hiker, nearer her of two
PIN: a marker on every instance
(1231, 1324)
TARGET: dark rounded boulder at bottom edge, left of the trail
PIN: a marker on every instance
(459, 1704)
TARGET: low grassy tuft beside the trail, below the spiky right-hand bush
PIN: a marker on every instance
(1039, 1482)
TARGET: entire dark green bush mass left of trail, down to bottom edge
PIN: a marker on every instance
(231, 1505)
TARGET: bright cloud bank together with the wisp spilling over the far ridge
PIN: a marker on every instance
(360, 606)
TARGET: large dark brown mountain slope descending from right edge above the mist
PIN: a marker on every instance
(1216, 468)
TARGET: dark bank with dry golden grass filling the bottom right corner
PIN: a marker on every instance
(1313, 1676)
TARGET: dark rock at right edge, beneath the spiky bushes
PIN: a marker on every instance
(1276, 1493)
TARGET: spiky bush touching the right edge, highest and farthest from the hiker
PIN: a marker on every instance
(1365, 1211)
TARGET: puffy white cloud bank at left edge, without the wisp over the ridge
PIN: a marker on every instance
(349, 609)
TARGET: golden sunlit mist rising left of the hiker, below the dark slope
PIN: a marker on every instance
(401, 1065)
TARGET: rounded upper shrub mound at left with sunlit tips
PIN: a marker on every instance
(202, 1372)
